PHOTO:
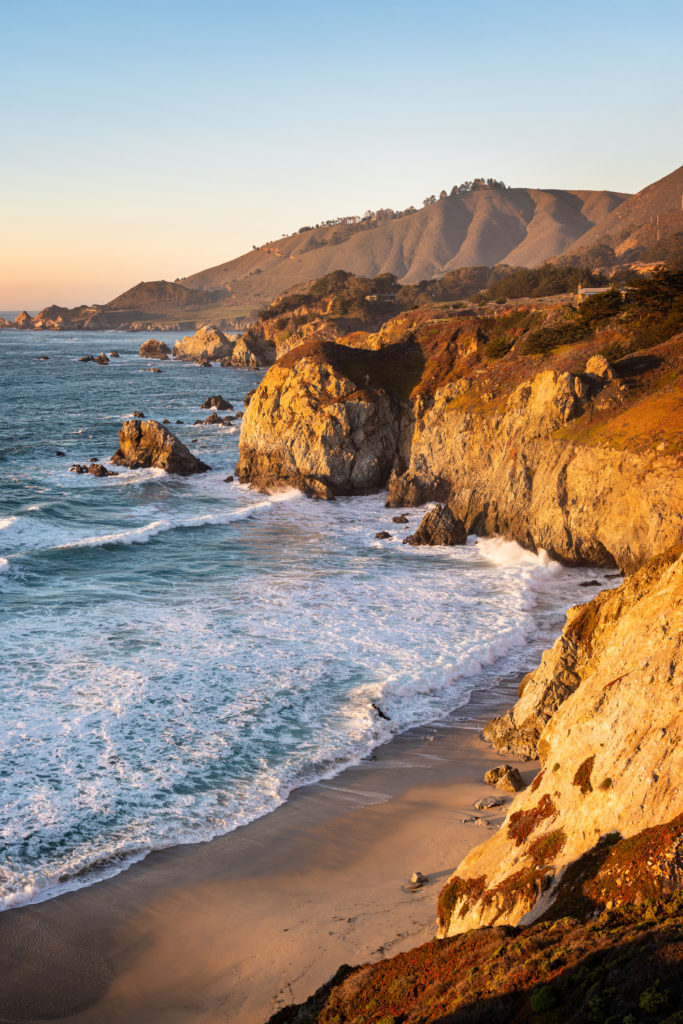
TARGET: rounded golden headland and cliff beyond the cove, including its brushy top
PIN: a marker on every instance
(556, 453)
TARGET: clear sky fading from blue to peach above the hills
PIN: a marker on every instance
(147, 141)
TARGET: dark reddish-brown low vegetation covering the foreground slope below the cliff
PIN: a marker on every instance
(610, 952)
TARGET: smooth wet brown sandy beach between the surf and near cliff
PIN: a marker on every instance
(235, 929)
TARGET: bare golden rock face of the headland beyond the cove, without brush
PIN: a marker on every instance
(504, 461)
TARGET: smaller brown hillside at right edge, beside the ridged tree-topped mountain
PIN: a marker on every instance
(652, 217)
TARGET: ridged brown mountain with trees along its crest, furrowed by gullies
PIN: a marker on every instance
(486, 227)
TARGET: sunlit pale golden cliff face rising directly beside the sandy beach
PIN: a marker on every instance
(612, 758)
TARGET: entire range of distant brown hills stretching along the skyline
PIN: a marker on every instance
(480, 224)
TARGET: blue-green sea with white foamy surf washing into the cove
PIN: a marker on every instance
(180, 654)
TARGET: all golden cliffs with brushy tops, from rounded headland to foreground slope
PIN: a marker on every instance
(558, 425)
